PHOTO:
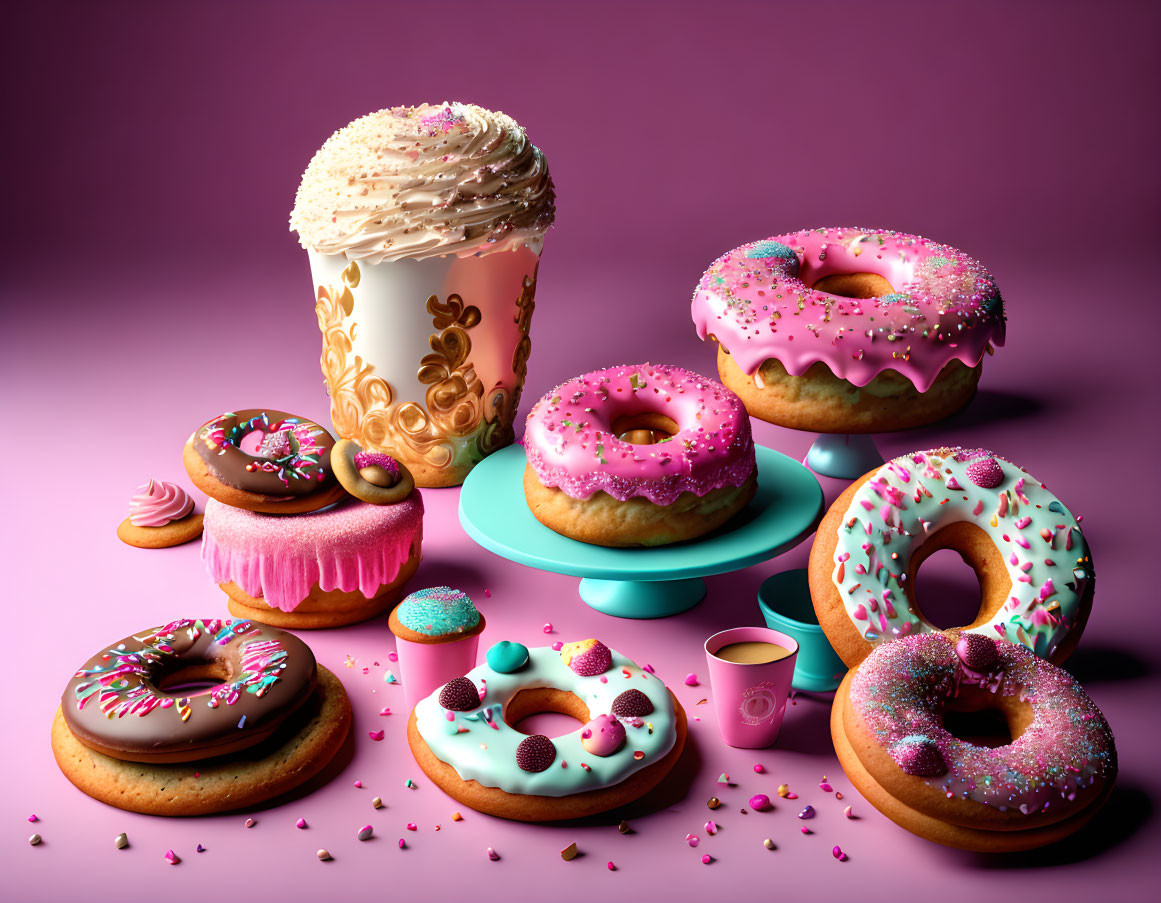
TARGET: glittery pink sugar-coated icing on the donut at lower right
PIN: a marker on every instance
(900, 689)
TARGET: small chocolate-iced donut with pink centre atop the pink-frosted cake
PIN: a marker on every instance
(264, 460)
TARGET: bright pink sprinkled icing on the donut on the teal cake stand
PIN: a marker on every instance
(571, 444)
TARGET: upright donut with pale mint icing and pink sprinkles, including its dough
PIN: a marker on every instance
(1028, 552)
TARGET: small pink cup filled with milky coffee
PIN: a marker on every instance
(751, 699)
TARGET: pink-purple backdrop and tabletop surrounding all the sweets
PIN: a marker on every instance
(149, 281)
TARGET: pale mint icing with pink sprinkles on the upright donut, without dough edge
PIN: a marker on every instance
(913, 496)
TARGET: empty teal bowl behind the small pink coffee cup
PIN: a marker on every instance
(785, 604)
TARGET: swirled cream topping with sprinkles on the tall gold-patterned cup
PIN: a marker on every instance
(424, 182)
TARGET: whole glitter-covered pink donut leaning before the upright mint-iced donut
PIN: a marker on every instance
(888, 724)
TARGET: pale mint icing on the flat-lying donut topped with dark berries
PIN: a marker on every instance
(481, 746)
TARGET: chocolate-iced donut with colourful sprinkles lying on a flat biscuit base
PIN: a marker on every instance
(118, 703)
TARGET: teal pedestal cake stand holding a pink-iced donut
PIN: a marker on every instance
(641, 583)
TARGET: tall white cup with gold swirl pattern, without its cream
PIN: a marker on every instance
(424, 359)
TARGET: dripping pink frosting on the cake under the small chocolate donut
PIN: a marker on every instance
(350, 546)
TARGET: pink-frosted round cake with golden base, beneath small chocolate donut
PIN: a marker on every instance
(321, 569)
